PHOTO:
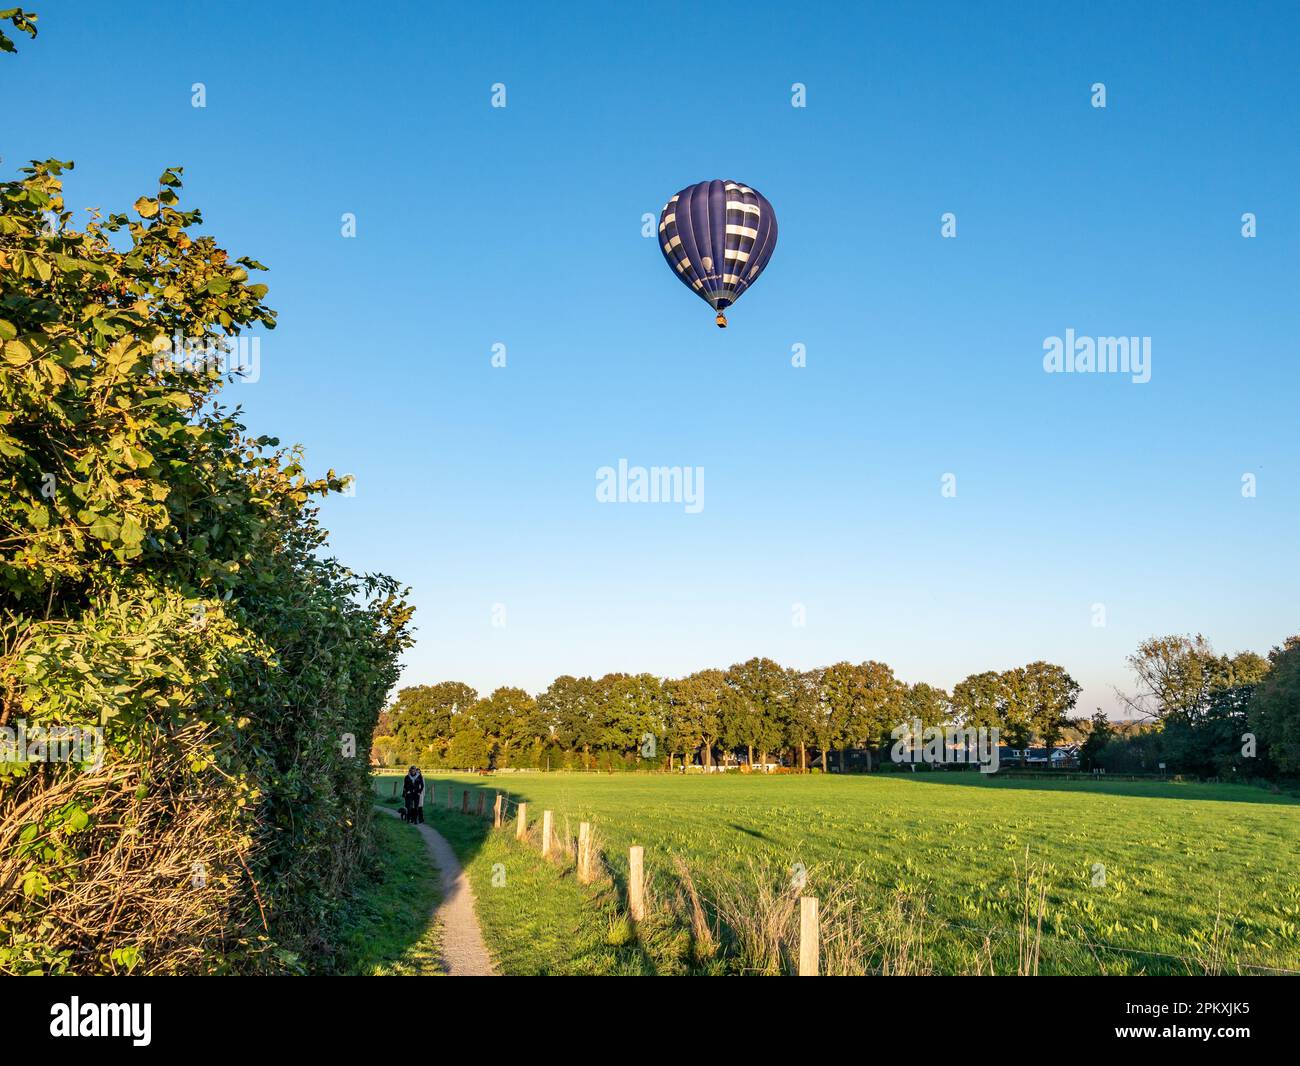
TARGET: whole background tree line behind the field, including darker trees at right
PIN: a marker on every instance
(1193, 710)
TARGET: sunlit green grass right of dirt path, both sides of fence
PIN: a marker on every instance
(1197, 878)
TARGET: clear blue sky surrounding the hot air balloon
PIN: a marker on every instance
(523, 227)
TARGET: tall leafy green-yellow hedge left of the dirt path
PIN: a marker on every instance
(163, 579)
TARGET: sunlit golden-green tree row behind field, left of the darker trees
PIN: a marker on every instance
(752, 709)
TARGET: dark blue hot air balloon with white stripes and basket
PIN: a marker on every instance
(718, 237)
